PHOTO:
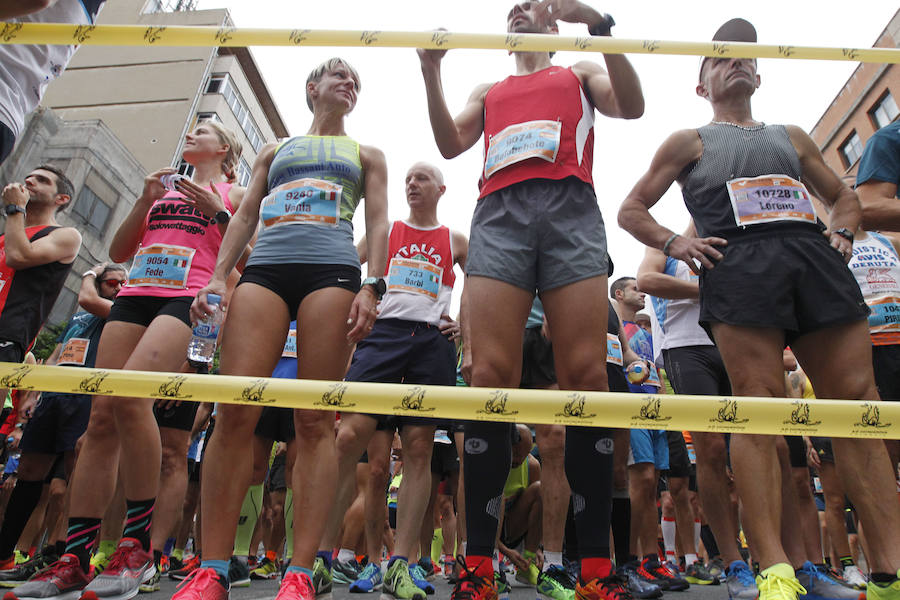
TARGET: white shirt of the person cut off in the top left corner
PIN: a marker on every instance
(26, 69)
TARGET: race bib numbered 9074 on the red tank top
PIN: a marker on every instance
(534, 139)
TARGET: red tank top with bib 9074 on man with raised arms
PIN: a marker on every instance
(537, 126)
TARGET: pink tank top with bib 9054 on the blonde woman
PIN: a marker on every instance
(178, 249)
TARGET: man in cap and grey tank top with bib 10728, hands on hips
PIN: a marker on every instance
(769, 277)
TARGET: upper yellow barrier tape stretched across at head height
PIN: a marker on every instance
(153, 35)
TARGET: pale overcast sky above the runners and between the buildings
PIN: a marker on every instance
(391, 113)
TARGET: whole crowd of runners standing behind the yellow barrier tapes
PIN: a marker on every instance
(760, 296)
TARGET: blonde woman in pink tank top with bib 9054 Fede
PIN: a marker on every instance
(172, 239)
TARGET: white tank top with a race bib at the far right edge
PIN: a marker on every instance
(876, 266)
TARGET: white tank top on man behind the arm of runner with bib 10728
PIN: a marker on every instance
(679, 318)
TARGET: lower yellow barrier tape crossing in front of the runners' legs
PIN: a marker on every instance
(831, 418)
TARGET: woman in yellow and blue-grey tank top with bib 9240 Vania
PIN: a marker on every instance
(302, 195)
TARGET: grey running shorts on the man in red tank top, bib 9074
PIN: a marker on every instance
(538, 234)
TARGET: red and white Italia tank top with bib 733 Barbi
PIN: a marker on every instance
(419, 274)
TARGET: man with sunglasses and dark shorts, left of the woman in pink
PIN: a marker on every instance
(57, 421)
